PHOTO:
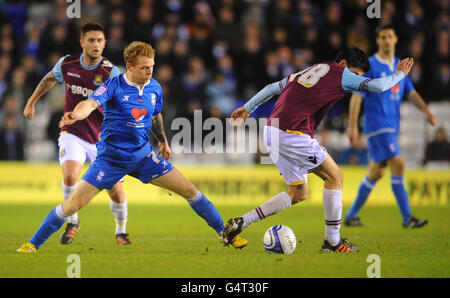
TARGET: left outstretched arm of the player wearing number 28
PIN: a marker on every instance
(269, 91)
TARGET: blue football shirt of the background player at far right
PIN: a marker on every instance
(382, 110)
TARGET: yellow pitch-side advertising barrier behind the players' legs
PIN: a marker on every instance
(41, 183)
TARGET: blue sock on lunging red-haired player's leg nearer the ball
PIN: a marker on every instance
(205, 209)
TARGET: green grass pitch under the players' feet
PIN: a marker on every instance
(172, 241)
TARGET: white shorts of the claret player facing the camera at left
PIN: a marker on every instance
(73, 148)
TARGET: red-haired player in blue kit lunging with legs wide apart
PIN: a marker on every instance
(132, 104)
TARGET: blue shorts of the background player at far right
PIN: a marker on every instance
(383, 147)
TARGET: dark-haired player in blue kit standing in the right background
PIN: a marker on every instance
(381, 127)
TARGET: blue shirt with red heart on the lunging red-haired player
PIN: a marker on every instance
(127, 121)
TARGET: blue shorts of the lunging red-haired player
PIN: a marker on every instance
(104, 173)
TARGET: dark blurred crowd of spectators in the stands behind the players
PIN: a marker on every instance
(214, 55)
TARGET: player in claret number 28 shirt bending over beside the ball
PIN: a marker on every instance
(305, 97)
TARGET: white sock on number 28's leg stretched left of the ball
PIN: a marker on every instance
(275, 205)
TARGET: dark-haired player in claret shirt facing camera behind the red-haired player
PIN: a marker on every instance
(82, 74)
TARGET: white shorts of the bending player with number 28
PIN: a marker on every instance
(294, 154)
